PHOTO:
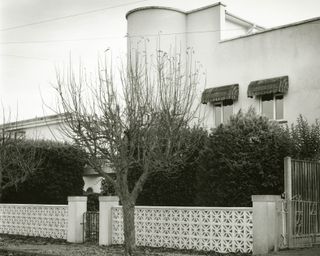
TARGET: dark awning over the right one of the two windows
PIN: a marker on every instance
(268, 86)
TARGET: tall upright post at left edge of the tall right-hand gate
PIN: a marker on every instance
(288, 197)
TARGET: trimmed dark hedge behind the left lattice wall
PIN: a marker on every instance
(58, 175)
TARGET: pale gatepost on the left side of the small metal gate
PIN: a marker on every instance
(77, 206)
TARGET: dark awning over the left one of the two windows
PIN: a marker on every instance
(215, 94)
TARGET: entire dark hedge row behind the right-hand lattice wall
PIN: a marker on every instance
(237, 160)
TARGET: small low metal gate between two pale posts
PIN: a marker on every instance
(91, 226)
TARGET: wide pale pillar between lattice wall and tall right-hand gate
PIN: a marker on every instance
(265, 223)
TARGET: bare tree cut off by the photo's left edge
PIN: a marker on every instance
(16, 163)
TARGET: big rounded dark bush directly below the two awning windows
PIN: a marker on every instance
(242, 158)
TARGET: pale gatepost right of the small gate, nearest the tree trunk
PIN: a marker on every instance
(105, 218)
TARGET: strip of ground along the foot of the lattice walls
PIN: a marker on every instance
(15, 245)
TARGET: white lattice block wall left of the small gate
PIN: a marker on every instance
(34, 220)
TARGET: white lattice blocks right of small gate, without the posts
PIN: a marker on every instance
(209, 229)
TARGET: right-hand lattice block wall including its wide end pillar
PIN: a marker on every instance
(254, 229)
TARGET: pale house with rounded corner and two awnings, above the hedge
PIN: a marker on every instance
(276, 71)
